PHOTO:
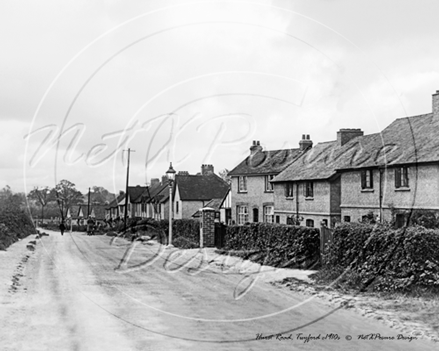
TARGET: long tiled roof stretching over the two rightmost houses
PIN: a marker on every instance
(405, 141)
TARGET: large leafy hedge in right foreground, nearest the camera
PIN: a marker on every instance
(383, 258)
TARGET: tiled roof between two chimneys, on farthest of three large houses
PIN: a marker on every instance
(266, 162)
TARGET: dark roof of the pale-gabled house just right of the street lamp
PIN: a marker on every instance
(201, 187)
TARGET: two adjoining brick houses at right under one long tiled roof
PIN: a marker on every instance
(385, 175)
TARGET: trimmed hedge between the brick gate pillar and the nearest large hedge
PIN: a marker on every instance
(275, 245)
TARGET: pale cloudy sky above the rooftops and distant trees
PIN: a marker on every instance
(195, 82)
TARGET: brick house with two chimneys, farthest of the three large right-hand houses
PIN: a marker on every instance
(252, 193)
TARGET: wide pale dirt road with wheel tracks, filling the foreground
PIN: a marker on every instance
(68, 296)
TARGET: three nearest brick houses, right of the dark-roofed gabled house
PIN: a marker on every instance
(385, 175)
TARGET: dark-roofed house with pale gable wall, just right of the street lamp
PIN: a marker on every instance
(193, 192)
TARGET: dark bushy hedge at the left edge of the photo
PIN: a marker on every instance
(15, 224)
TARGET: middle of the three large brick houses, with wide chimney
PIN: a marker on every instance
(308, 192)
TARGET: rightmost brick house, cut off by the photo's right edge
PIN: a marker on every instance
(396, 172)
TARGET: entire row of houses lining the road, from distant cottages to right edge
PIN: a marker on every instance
(385, 175)
